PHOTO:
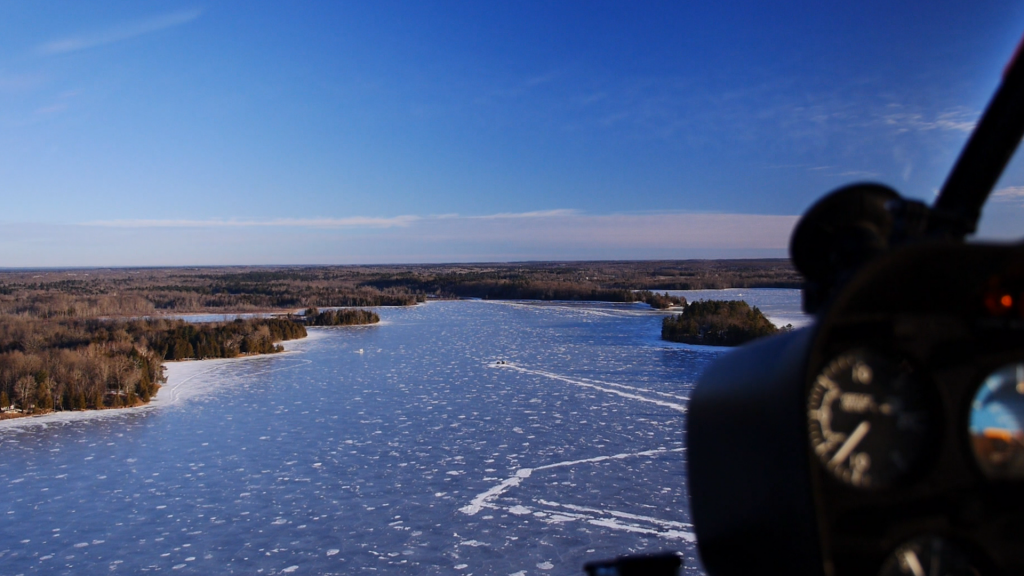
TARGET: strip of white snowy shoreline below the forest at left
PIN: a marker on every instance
(184, 378)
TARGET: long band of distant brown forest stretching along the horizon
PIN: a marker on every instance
(135, 293)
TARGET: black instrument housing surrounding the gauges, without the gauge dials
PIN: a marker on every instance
(761, 500)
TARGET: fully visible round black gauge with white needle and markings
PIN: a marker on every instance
(869, 420)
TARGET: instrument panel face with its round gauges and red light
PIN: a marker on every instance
(915, 403)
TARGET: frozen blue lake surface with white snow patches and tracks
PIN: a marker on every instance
(417, 456)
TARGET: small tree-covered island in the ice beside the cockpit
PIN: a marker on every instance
(718, 323)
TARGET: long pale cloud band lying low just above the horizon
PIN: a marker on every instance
(544, 235)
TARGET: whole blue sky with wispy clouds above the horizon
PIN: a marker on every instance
(257, 133)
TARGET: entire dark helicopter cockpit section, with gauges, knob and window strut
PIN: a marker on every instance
(887, 438)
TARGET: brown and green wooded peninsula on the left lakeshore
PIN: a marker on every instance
(53, 365)
